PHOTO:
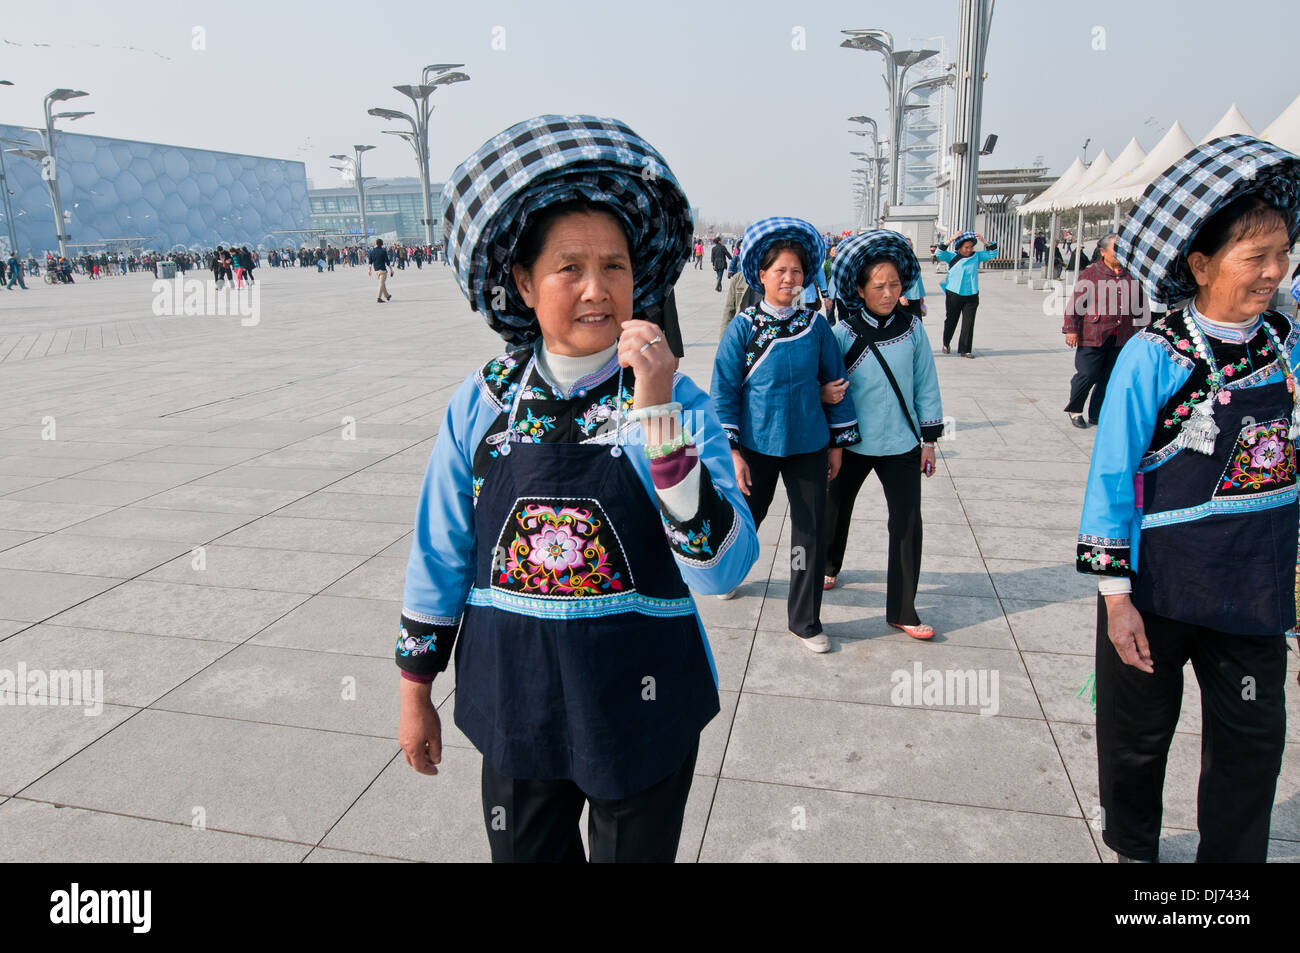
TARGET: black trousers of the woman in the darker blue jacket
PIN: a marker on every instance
(804, 476)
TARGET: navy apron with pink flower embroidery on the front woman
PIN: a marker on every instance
(580, 656)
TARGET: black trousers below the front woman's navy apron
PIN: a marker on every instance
(538, 822)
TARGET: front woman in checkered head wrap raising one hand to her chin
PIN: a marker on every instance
(579, 491)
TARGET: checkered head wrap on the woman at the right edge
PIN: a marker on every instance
(1154, 242)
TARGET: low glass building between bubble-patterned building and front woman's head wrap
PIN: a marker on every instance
(393, 211)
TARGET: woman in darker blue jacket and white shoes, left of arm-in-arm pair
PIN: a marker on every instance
(772, 365)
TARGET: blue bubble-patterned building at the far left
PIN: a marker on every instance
(124, 194)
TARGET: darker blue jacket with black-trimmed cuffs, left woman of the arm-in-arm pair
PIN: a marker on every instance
(768, 384)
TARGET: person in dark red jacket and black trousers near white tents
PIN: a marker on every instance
(1098, 322)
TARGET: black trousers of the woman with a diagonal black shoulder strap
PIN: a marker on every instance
(900, 478)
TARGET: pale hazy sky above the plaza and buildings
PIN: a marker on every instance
(751, 125)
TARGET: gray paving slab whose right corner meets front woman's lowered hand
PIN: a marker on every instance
(245, 778)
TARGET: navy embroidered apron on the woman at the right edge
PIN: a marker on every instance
(1219, 532)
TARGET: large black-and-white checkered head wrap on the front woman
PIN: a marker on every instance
(540, 163)
